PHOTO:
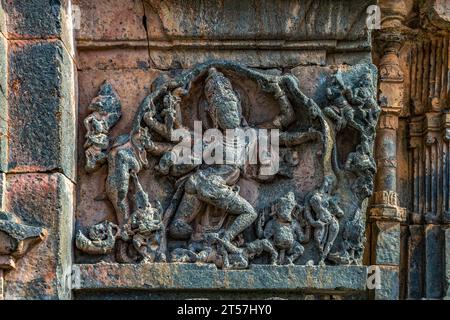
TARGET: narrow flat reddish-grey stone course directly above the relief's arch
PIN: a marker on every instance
(162, 59)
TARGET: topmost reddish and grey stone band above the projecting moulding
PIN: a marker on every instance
(230, 20)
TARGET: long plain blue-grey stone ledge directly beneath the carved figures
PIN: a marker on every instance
(111, 276)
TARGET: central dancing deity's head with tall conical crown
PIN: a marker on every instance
(222, 100)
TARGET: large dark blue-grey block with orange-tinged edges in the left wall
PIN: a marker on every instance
(41, 108)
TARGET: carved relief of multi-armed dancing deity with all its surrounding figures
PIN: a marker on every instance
(210, 217)
